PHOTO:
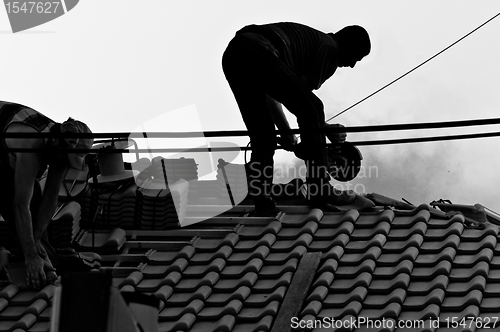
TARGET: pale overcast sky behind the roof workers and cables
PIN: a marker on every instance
(118, 64)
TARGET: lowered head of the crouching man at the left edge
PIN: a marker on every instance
(76, 159)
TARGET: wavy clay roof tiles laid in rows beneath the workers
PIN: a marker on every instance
(234, 272)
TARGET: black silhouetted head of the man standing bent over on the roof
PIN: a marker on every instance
(354, 44)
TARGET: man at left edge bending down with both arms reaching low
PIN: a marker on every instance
(22, 202)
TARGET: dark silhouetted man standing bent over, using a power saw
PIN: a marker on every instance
(278, 64)
